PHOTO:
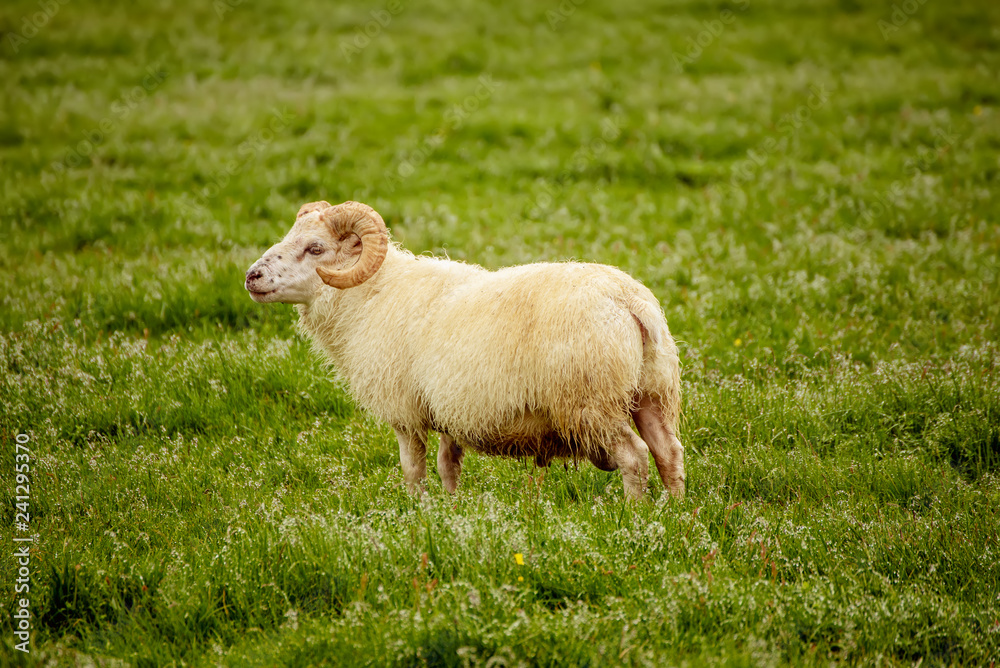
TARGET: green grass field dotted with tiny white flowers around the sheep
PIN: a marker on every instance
(810, 188)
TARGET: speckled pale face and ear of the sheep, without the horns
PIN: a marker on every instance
(286, 273)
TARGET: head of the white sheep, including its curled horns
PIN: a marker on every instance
(338, 246)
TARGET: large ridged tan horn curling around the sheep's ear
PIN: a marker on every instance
(362, 220)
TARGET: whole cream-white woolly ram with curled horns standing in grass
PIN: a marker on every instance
(544, 360)
